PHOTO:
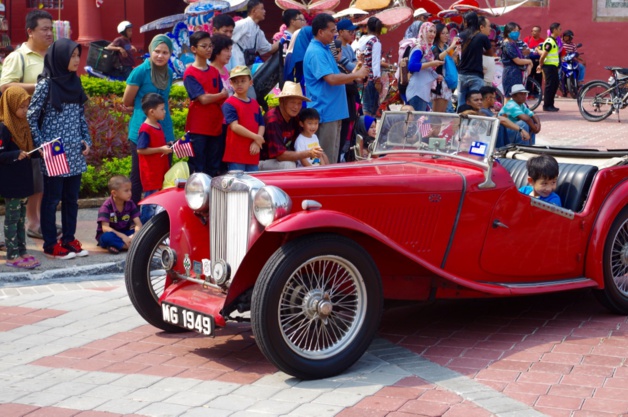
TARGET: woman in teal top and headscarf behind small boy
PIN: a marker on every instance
(152, 76)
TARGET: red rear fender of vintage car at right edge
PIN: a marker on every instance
(612, 205)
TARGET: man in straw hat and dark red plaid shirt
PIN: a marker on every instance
(282, 129)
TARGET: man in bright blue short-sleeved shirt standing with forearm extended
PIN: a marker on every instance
(325, 84)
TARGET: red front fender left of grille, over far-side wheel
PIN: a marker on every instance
(189, 232)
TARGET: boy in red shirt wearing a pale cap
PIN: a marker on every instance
(245, 129)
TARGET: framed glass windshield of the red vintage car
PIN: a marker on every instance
(470, 138)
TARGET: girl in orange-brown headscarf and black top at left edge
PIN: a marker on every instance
(15, 142)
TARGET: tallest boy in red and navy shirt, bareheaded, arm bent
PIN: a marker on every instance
(204, 122)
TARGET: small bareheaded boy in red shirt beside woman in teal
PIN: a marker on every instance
(151, 147)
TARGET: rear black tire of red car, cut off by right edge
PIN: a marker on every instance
(614, 296)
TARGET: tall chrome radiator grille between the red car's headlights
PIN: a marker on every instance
(229, 226)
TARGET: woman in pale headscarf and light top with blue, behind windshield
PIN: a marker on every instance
(422, 67)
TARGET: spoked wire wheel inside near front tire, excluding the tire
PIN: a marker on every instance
(322, 306)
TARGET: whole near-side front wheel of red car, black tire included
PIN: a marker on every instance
(312, 325)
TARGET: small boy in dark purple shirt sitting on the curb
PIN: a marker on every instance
(118, 217)
